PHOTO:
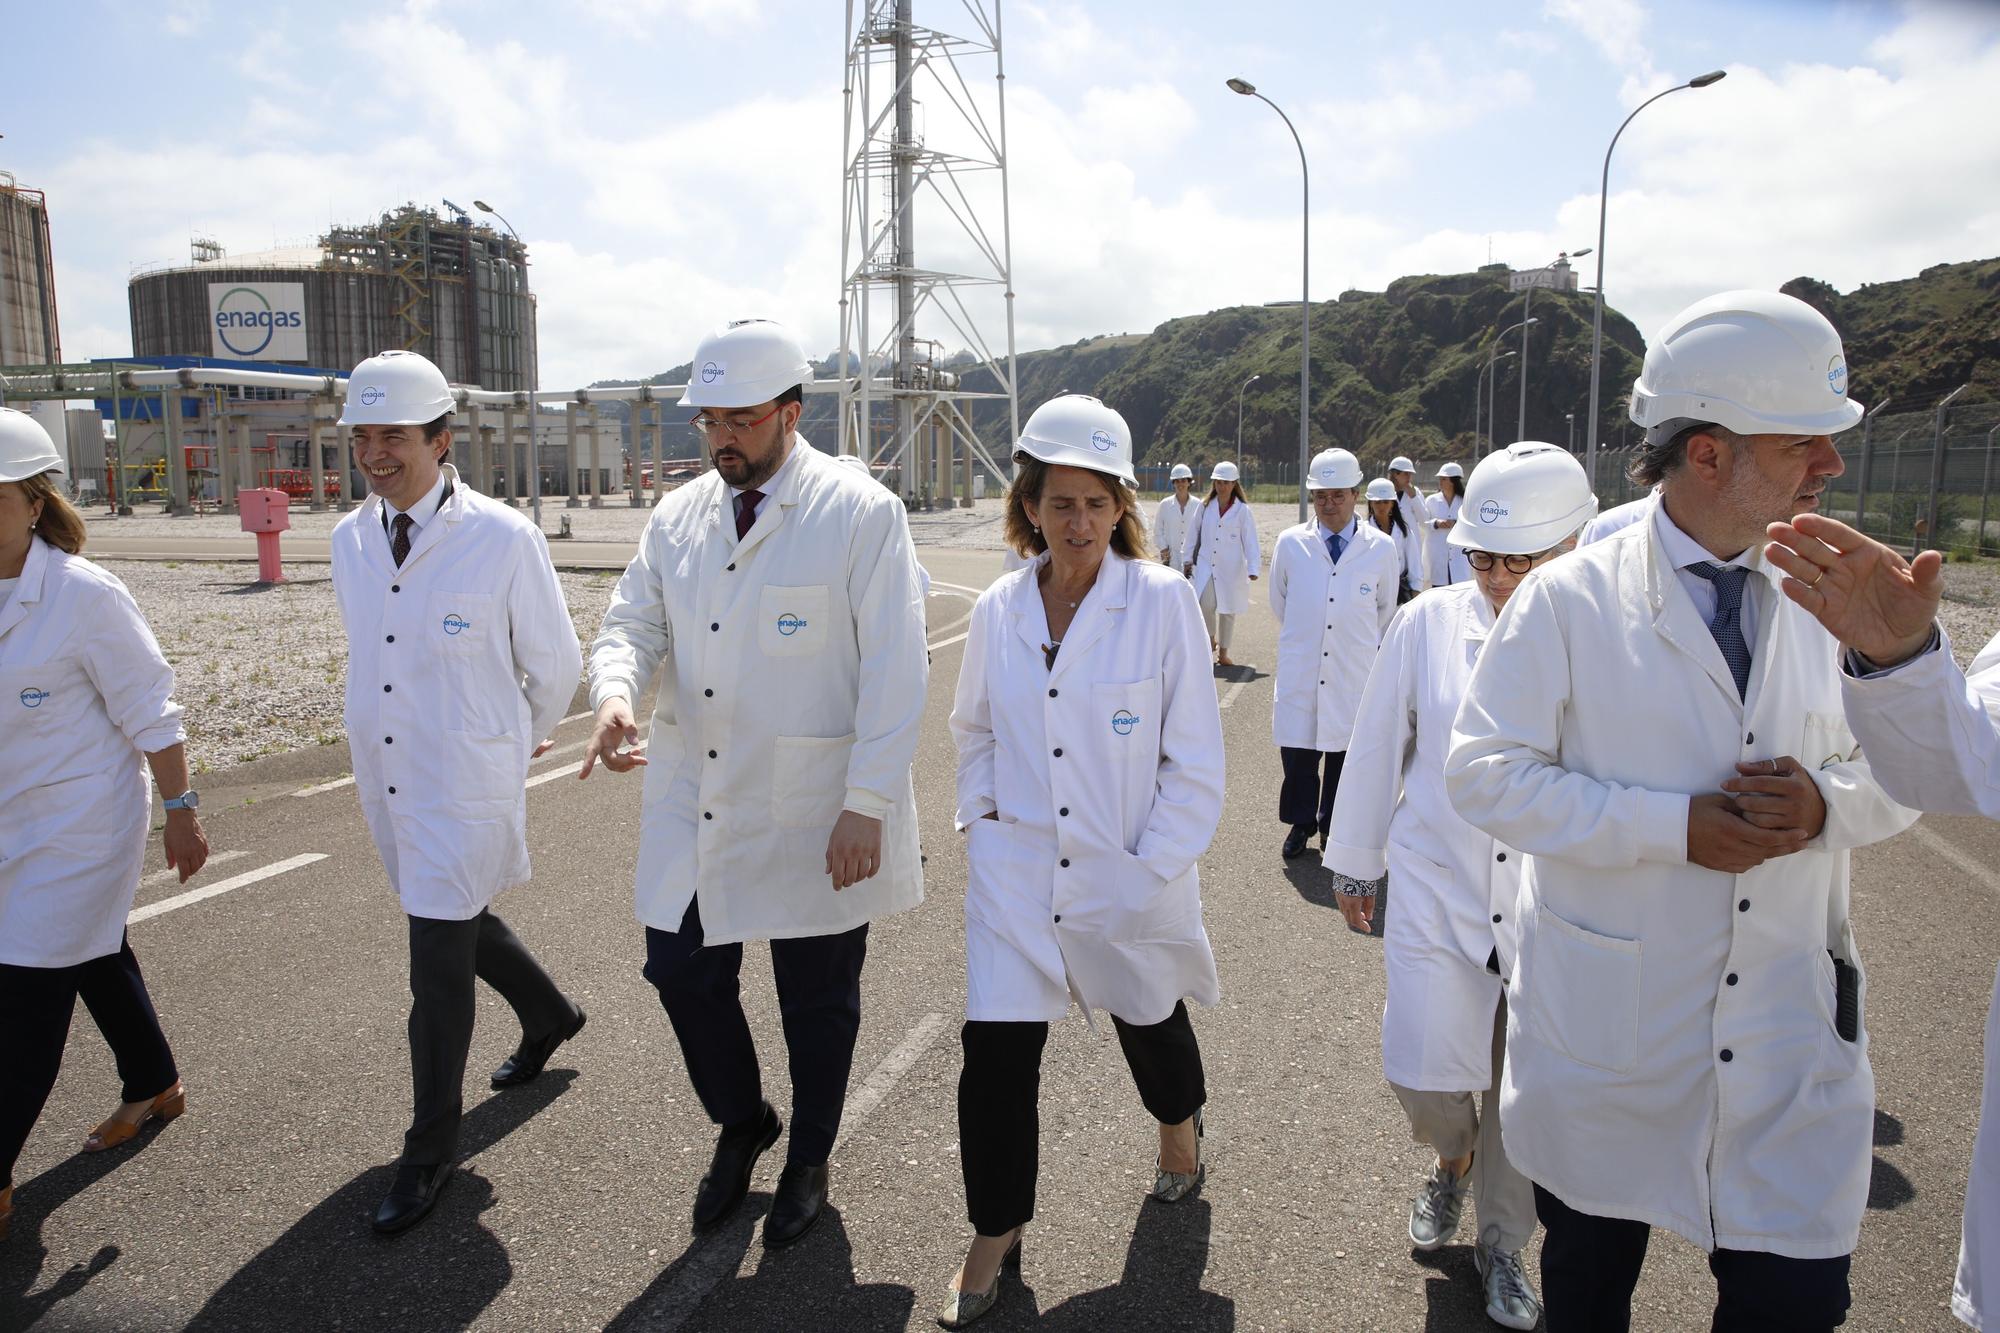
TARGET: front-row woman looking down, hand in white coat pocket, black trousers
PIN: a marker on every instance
(1089, 784)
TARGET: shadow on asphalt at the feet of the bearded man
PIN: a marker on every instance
(809, 1286)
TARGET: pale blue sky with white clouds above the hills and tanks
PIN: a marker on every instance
(675, 163)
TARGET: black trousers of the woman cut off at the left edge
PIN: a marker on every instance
(35, 1024)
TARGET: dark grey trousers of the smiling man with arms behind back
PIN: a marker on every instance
(445, 958)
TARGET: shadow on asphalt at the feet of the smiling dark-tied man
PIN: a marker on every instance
(333, 1268)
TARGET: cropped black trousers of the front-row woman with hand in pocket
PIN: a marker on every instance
(1001, 1092)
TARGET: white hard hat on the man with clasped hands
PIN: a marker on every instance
(1755, 363)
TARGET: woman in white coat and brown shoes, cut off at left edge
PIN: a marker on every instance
(89, 708)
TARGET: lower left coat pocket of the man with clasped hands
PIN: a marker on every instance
(1581, 992)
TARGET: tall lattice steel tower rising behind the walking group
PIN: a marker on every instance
(901, 405)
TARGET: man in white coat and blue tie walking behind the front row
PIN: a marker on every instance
(1333, 585)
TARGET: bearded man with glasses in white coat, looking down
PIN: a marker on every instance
(781, 599)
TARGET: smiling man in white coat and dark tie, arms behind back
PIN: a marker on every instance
(461, 663)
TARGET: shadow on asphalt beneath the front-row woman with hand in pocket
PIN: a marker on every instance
(1161, 1286)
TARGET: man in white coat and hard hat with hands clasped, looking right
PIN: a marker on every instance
(1661, 732)
